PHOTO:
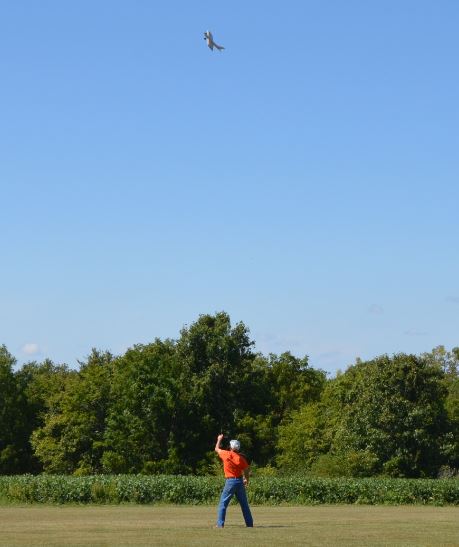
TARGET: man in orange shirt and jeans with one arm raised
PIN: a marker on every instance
(236, 471)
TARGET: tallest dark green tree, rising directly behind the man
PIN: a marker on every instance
(215, 371)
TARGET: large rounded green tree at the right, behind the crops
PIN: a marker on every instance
(392, 410)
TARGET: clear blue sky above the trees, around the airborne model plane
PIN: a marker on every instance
(305, 179)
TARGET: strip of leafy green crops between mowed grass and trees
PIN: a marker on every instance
(193, 490)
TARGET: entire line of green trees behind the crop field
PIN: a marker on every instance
(157, 408)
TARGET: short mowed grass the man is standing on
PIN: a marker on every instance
(185, 525)
